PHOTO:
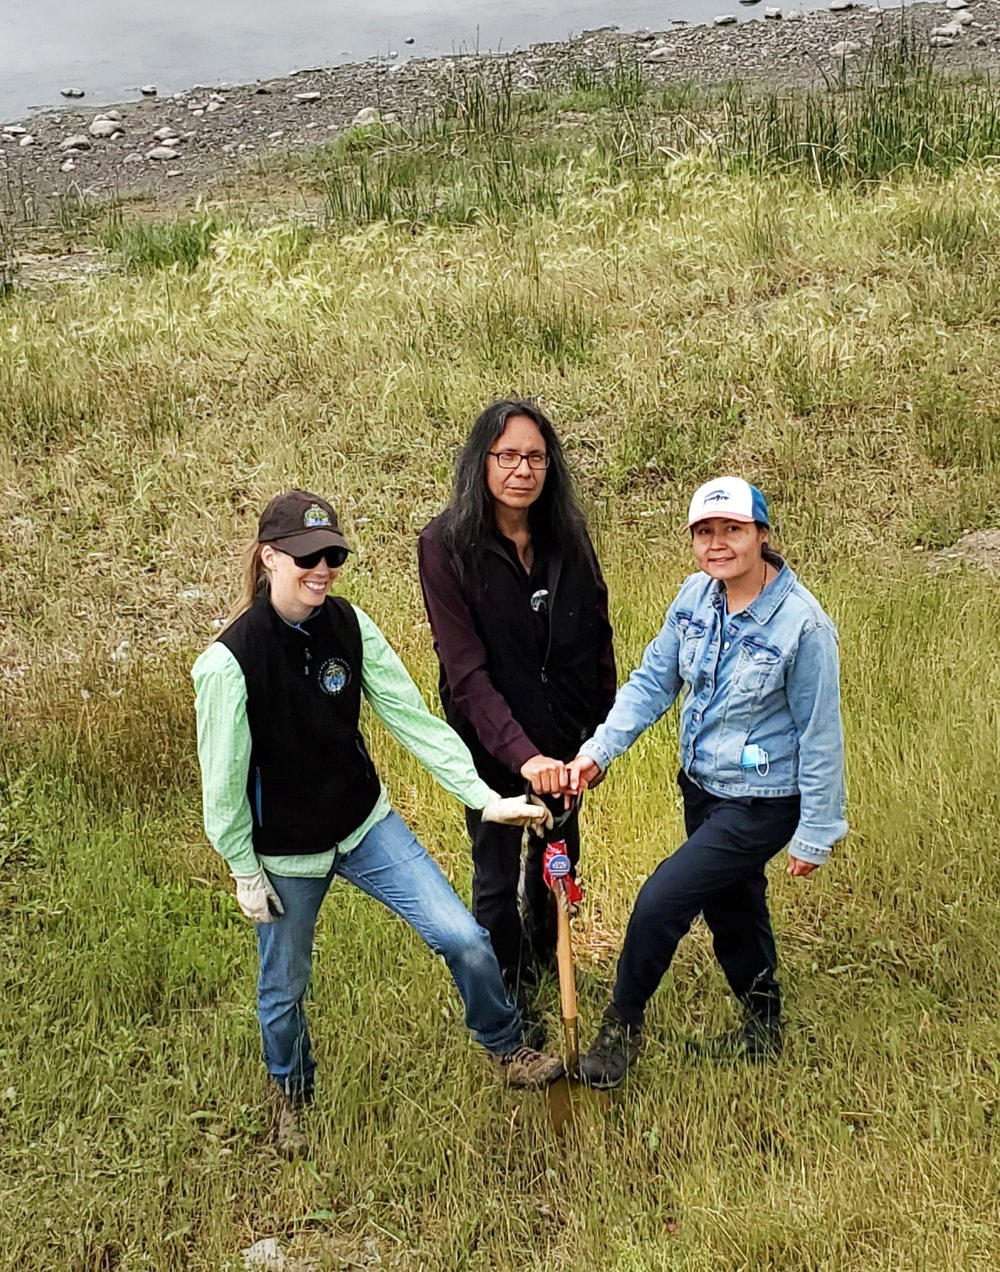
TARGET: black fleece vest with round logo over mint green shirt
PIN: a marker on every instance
(311, 779)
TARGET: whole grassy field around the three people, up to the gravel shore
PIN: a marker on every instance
(685, 300)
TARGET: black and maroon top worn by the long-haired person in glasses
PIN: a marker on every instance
(527, 665)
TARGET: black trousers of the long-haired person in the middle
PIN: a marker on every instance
(524, 942)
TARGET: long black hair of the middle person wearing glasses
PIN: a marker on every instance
(555, 516)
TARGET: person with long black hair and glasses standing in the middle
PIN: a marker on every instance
(520, 615)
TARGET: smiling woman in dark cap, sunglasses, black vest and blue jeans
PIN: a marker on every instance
(292, 798)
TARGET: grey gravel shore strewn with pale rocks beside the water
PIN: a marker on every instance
(176, 147)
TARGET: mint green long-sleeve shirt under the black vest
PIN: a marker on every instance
(225, 751)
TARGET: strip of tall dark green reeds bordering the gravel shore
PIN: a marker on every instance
(488, 152)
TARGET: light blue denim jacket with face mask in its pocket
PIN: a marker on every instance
(763, 686)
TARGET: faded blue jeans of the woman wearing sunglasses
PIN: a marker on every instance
(391, 866)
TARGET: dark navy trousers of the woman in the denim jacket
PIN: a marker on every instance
(717, 872)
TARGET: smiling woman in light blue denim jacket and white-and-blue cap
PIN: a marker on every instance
(761, 768)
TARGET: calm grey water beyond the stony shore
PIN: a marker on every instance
(111, 48)
